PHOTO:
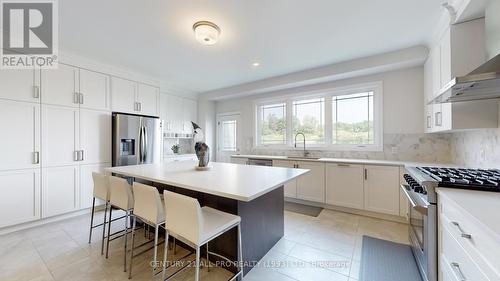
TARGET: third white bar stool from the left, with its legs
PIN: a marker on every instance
(149, 207)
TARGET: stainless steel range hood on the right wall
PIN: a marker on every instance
(481, 84)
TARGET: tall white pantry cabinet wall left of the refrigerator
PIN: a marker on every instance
(57, 126)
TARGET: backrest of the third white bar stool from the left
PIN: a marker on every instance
(148, 204)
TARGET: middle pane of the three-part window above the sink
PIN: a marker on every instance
(309, 119)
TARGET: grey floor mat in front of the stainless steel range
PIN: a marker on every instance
(383, 260)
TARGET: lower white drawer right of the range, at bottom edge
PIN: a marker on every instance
(455, 257)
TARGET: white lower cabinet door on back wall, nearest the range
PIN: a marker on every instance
(381, 186)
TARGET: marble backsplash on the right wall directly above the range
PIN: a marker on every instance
(478, 148)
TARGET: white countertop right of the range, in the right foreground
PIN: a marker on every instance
(483, 206)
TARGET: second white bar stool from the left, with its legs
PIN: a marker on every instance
(120, 197)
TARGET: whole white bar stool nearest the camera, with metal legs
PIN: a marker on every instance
(197, 226)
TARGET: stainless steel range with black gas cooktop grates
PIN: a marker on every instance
(420, 189)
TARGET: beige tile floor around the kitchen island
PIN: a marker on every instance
(327, 247)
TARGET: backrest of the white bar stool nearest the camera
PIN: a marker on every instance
(183, 216)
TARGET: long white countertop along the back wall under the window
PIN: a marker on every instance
(342, 160)
